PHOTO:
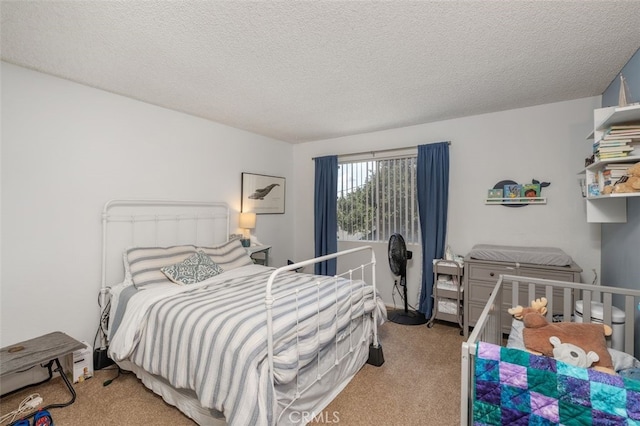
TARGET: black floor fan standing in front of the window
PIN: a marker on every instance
(398, 256)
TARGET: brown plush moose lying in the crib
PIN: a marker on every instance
(537, 332)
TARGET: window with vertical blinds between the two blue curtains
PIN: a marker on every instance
(377, 198)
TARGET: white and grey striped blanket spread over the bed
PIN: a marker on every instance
(211, 337)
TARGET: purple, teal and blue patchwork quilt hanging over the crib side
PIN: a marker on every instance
(514, 387)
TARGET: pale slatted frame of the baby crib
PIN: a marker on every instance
(489, 326)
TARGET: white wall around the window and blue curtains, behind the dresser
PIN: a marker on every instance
(546, 142)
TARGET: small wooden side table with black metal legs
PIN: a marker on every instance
(45, 349)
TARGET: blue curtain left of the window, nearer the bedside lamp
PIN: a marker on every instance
(326, 212)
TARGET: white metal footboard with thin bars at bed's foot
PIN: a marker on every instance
(352, 274)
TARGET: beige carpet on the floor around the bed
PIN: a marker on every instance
(419, 384)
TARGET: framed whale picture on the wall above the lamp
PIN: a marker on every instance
(262, 194)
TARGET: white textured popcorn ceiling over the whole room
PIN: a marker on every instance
(309, 70)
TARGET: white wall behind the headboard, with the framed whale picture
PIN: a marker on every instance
(66, 150)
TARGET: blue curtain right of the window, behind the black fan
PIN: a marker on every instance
(433, 200)
